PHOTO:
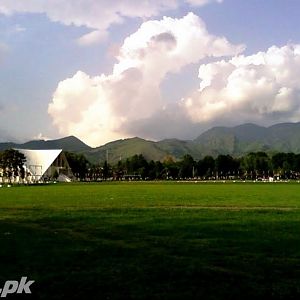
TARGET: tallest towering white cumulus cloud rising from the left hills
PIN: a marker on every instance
(99, 109)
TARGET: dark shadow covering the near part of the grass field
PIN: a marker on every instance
(154, 254)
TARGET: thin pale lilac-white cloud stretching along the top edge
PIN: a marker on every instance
(97, 15)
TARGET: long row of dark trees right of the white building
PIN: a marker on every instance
(253, 166)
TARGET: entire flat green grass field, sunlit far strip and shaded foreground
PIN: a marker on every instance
(152, 240)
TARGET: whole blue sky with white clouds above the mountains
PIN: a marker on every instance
(103, 70)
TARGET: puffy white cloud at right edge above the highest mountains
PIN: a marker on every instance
(263, 87)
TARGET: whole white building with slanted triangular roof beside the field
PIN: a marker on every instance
(44, 164)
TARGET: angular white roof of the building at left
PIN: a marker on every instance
(38, 161)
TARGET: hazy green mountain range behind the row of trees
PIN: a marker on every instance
(235, 141)
